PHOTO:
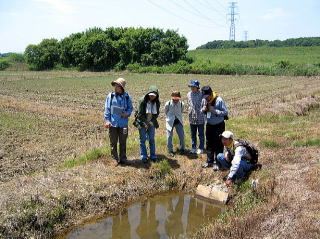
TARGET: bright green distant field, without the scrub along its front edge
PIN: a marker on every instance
(259, 56)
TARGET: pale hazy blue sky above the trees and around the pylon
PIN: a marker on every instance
(24, 22)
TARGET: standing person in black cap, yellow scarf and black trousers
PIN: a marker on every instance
(215, 113)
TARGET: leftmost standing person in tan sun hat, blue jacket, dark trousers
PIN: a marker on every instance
(118, 108)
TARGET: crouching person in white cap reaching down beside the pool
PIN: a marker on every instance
(234, 157)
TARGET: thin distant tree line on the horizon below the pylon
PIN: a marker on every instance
(292, 42)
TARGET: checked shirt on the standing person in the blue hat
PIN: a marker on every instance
(194, 105)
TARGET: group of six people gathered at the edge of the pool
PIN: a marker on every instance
(207, 113)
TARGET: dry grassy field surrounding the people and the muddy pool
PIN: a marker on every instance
(55, 168)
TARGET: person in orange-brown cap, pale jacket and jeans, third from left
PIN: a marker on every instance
(173, 110)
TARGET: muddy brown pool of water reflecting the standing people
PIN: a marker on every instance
(163, 216)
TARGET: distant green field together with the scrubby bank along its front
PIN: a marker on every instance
(295, 61)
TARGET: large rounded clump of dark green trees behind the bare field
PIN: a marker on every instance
(113, 48)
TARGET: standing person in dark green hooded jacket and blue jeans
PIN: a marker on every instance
(146, 122)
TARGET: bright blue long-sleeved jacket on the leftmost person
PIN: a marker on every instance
(114, 106)
